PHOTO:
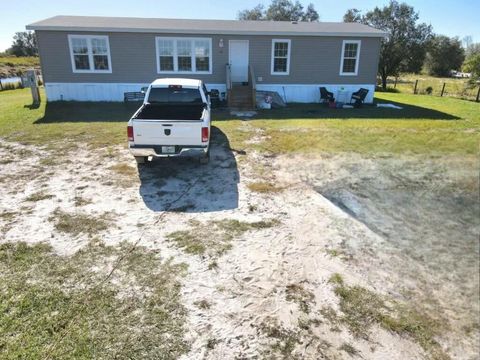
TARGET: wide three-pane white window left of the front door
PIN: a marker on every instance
(184, 55)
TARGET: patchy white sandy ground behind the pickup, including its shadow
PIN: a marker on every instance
(297, 268)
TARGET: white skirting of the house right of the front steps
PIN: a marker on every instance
(308, 93)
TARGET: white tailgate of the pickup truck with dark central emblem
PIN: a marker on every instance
(164, 132)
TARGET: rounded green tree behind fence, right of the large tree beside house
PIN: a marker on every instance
(444, 54)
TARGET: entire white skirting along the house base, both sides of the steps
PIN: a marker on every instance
(306, 93)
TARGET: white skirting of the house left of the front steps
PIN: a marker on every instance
(99, 91)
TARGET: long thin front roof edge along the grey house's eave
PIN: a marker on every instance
(186, 31)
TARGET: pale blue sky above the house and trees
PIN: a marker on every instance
(449, 17)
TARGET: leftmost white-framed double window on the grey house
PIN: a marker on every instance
(90, 53)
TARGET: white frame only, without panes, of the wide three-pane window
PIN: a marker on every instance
(192, 55)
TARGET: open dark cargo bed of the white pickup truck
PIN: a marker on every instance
(170, 112)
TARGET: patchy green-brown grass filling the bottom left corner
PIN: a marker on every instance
(136, 315)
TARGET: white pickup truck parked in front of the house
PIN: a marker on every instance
(174, 120)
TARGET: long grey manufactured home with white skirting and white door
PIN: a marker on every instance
(87, 58)
